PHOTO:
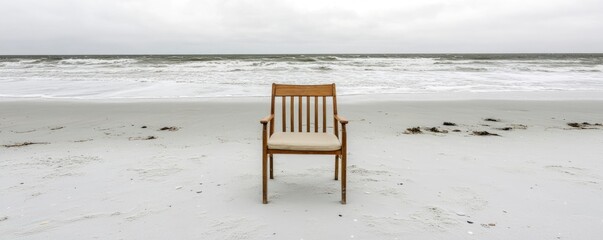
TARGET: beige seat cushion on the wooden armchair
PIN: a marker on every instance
(304, 141)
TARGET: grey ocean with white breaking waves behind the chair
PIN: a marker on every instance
(199, 76)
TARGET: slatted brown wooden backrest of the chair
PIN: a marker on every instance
(305, 97)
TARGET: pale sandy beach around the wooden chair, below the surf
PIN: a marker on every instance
(94, 178)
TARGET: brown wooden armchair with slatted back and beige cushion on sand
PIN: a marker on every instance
(312, 141)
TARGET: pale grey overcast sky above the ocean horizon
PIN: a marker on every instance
(299, 26)
